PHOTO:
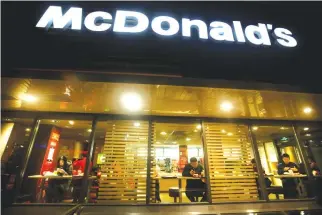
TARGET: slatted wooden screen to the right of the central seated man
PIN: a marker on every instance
(231, 176)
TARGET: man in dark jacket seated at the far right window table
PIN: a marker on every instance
(289, 184)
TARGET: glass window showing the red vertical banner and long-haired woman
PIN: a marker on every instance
(57, 162)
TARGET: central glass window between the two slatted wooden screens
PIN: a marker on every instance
(178, 164)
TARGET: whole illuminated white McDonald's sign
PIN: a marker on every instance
(133, 22)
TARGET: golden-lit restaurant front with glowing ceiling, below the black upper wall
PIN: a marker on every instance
(144, 135)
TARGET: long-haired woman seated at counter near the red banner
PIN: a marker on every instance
(57, 187)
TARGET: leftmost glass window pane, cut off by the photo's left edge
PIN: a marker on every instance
(14, 143)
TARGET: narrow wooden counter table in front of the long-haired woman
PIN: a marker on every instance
(56, 177)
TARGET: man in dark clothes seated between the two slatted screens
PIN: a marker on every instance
(190, 170)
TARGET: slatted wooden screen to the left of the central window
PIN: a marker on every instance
(125, 168)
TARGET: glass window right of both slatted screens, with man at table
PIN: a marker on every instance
(283, 169)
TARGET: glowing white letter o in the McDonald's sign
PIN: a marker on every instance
(157, 25)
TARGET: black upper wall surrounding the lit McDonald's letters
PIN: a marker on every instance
(25, 46)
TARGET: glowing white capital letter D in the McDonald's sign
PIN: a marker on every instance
(121, 18)
